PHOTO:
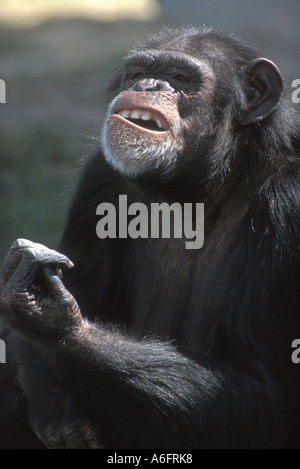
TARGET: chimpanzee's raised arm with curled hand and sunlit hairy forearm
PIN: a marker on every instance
(141, 393)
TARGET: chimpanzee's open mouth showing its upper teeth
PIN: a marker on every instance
(145, 119)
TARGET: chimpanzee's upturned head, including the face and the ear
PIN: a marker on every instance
(179, 104)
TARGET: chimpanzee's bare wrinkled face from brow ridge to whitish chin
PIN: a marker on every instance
(146, 122)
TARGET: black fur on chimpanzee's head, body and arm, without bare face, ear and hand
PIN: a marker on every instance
(186, 349)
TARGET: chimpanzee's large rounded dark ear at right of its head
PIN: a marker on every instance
(264, 88)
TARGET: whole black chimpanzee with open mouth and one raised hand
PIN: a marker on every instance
(139, 342)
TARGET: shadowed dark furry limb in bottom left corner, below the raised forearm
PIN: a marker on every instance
(35, 396)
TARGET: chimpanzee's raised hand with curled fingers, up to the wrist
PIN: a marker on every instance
(33, 298)
